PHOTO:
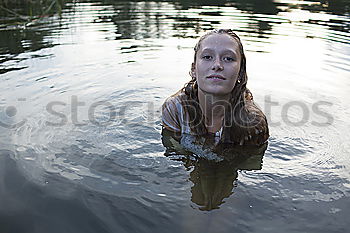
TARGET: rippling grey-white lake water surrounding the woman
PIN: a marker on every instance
(82, 83)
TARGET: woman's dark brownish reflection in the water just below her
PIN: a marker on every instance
(214, 181)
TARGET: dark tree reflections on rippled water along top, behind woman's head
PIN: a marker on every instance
(149, 19)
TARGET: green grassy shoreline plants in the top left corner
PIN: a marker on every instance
(24, 13)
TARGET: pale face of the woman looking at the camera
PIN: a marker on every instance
(217, 64)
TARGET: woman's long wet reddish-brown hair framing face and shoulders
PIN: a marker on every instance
(238, 120)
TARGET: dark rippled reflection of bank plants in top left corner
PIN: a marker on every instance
(17, 21)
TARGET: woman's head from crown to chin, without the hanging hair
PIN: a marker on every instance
(219, 65)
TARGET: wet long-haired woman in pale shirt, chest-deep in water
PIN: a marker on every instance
(216, 103)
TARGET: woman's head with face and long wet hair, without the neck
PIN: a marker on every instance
(227, 61)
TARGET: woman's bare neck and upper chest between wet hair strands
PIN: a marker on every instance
(213, 108)
